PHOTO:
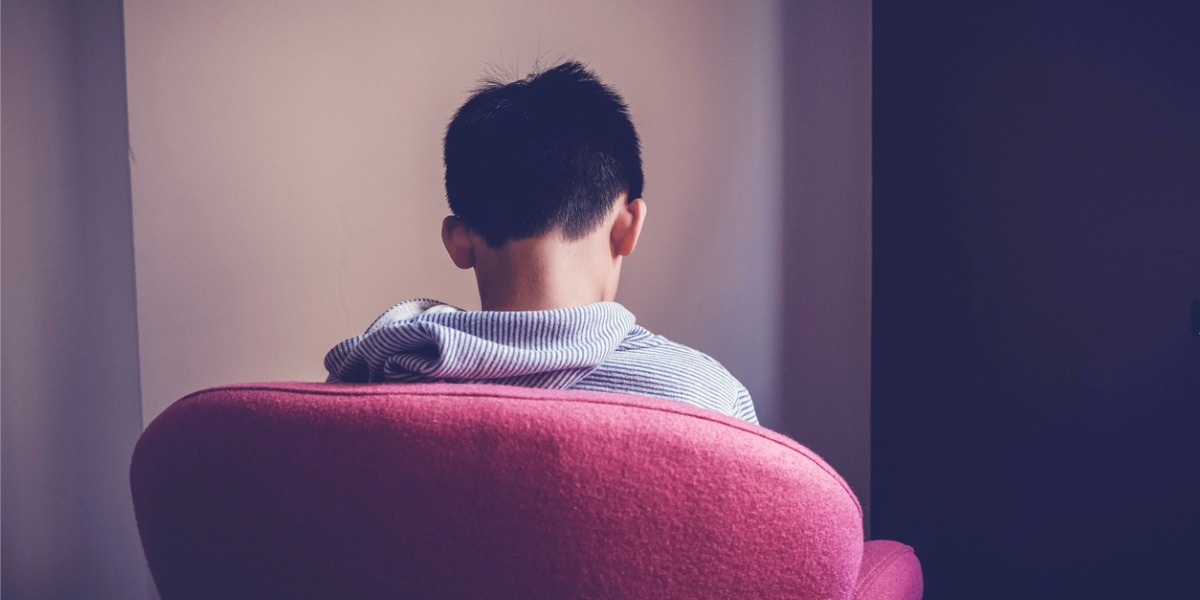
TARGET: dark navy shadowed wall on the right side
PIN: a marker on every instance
(1036, 388)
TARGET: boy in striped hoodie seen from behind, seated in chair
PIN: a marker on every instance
(544, 177)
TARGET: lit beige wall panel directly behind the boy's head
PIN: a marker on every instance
(287, 177)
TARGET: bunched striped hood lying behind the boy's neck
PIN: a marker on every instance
(429, 341)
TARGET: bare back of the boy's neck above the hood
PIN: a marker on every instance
(543, 274)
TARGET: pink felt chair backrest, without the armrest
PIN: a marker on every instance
(297, 490)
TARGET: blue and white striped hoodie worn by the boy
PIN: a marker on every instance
(595, 347)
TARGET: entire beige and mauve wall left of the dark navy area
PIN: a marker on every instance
(286, 183)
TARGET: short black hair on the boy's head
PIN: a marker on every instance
(555, 149)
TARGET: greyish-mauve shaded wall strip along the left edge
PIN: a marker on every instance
(71, 406)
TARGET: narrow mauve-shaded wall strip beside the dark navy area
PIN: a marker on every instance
(826, 362)
